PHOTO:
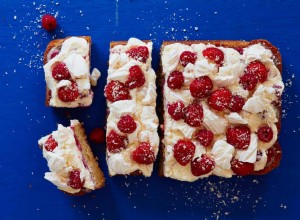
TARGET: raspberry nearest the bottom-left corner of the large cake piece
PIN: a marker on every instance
(184, 151)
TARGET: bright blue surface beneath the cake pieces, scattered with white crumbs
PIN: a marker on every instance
(24, 117)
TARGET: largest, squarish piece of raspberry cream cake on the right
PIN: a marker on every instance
(221, 108)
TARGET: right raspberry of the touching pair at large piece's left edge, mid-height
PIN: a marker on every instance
(193, 114)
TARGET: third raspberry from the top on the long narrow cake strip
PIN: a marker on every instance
(116, 90)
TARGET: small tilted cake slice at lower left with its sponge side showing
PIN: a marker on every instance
(73, 167)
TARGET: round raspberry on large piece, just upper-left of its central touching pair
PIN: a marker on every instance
(201, 87)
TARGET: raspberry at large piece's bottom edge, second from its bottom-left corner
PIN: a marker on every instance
(202, 166)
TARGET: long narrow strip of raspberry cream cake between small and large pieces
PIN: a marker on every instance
(131, 137)
